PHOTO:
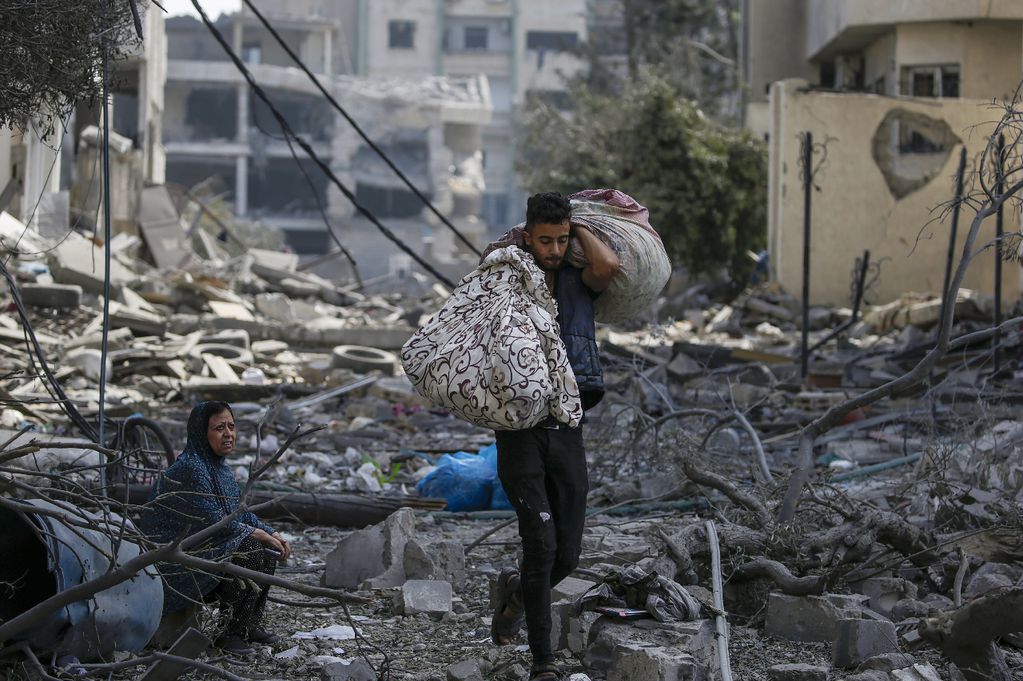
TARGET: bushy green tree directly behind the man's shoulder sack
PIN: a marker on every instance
(705, 185)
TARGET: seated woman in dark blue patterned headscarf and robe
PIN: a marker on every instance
(197, 492)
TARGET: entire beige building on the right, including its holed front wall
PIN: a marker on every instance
(894, 92)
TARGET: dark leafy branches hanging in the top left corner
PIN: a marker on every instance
(52, 55)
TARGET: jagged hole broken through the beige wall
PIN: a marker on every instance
(911, 150)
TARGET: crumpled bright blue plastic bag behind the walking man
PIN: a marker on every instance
(468, 482)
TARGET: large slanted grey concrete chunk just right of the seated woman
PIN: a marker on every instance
(373, 557)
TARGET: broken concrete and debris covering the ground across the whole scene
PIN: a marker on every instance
(910, 527)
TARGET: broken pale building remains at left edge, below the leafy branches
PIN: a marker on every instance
(50, 178)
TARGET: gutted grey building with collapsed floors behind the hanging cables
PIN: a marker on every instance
(428, 126)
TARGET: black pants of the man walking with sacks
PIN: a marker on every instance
(544, 472)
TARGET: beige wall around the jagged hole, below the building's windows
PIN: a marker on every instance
(855, 209)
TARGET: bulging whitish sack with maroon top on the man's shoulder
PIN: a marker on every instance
(624, 224)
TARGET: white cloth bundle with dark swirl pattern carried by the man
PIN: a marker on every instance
(494, 354)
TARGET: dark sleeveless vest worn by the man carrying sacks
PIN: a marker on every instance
(575, 316)
